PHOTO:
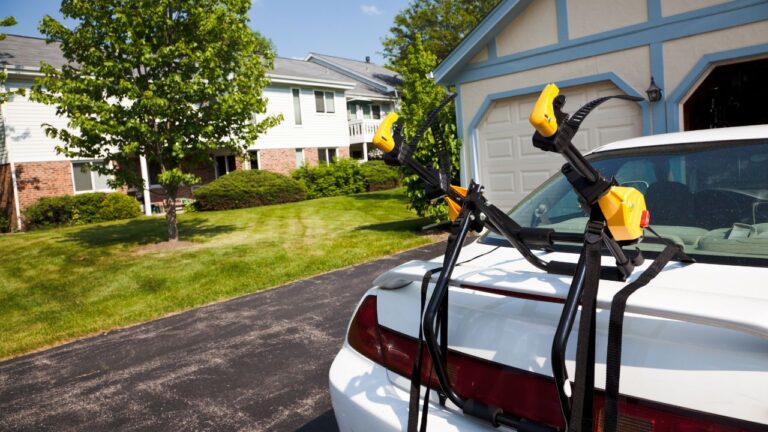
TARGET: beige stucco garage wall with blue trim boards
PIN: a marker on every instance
(577, 42)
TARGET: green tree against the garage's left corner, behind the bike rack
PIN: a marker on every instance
(422, 36)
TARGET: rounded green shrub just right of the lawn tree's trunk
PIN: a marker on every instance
(251, 188)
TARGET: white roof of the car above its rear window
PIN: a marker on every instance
(706, 135)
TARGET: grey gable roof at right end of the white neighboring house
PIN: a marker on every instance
(375, 80)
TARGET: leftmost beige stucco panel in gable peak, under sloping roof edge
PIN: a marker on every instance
(534, 28)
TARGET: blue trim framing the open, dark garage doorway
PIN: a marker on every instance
(699, 69)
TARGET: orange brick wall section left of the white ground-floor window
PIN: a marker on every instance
(35, 180)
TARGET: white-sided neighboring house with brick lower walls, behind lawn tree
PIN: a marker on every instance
(312, 97)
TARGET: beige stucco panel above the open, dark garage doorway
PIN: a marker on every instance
(681, 55)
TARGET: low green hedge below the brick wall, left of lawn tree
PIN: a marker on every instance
(81, 209)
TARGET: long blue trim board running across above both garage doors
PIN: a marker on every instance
(656, 31)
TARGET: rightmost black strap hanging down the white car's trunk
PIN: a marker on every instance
(615, 329)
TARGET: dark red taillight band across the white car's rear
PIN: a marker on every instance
(518, 392)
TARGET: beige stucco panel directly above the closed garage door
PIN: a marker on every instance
(633, 66)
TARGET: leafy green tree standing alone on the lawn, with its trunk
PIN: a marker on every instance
(170, 80)
